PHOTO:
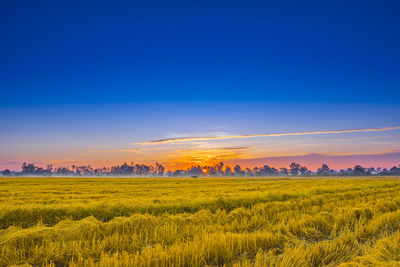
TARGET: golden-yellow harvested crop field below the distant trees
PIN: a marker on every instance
(199, 222)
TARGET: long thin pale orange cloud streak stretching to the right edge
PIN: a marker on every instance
(185, 139)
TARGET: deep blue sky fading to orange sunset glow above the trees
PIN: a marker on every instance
(96, 82)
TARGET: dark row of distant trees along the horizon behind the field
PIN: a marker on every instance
(219, 169)
